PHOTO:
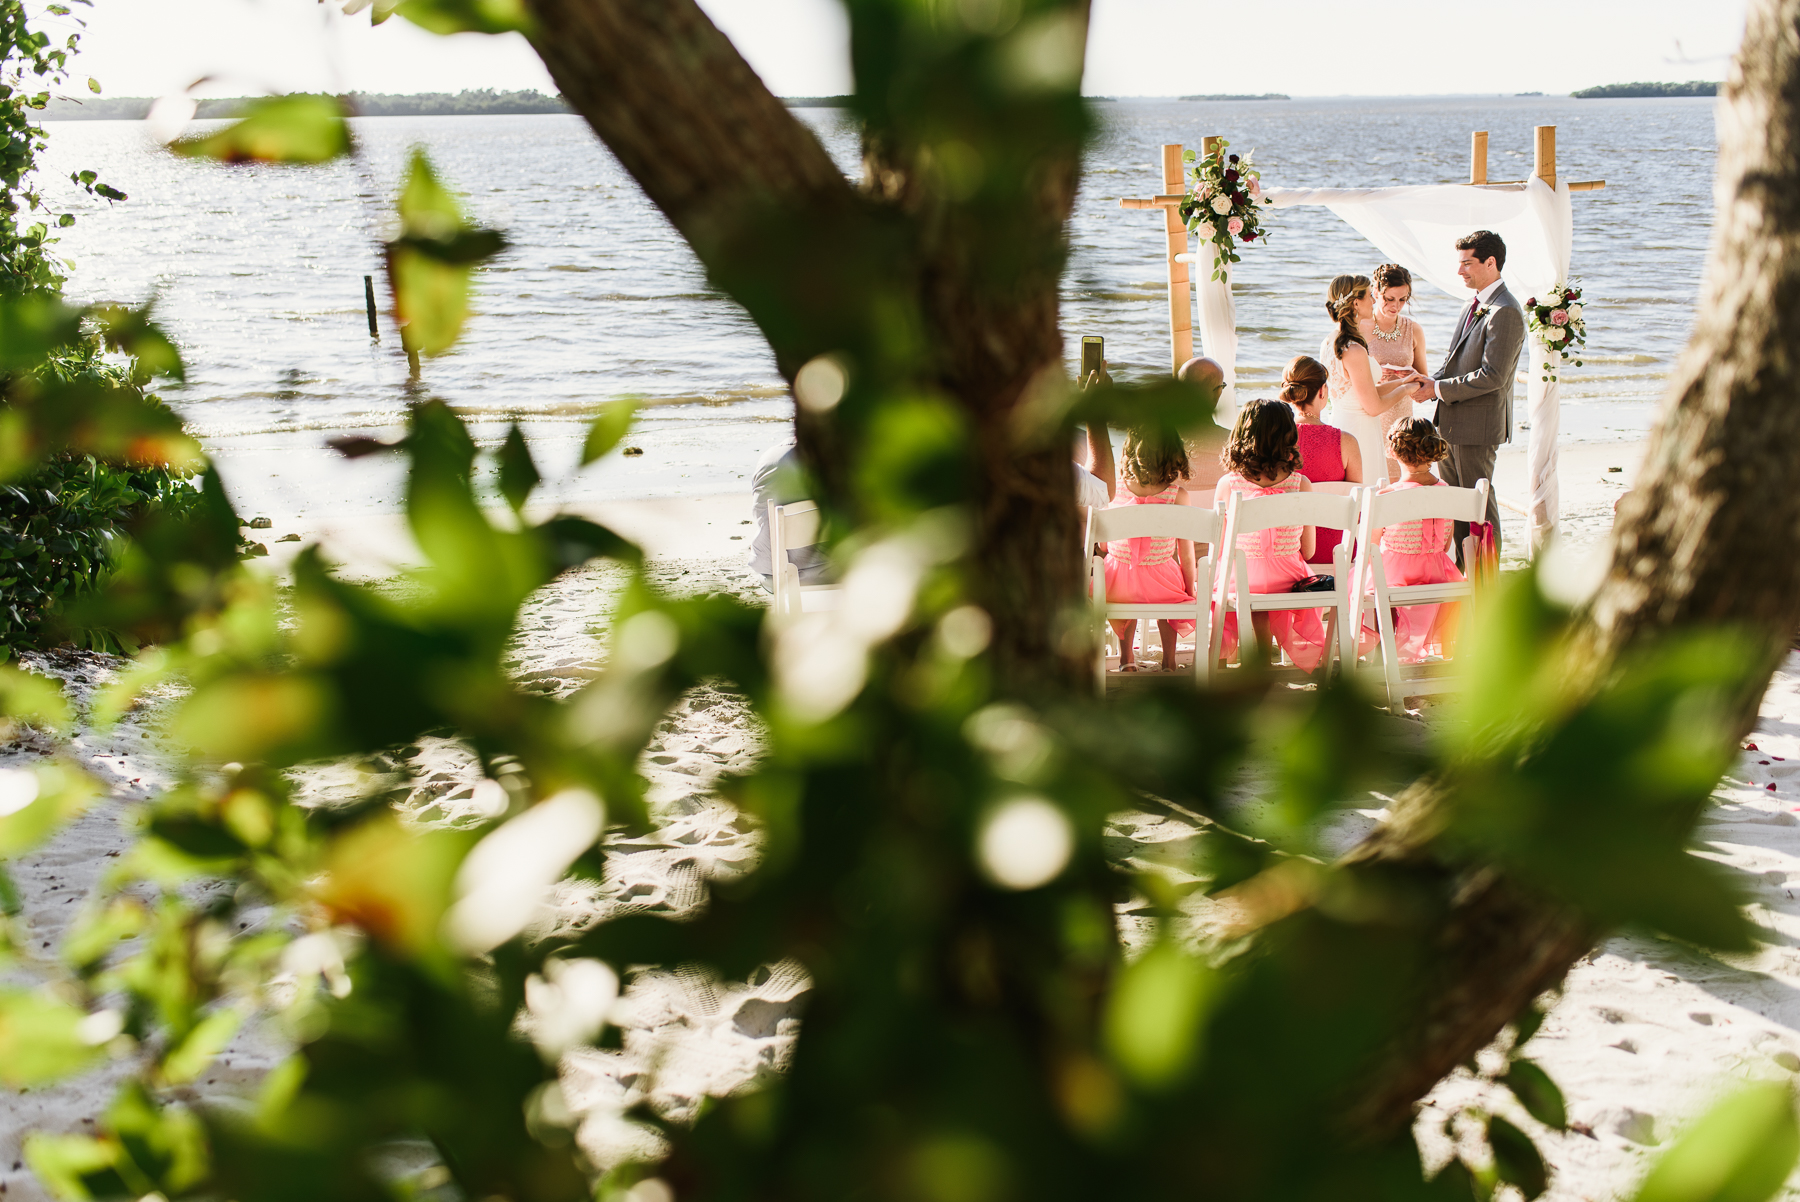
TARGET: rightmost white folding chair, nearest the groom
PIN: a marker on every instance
(1380, 510)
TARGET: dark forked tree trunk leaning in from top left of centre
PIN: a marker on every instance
(823, 269)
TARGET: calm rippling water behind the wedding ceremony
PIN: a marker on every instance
(258, 271)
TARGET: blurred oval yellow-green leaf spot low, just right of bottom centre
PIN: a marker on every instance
(1156, 1012)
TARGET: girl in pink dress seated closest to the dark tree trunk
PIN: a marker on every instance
(1151, 571)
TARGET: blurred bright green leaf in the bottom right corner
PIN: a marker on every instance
(1740, 1153)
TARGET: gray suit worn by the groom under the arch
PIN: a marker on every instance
(1475, 399)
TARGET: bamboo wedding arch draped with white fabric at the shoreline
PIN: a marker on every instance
(1414, 228)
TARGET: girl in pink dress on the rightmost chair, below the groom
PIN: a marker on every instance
(1417, 553)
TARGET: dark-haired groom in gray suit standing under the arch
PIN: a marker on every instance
(1475, 384)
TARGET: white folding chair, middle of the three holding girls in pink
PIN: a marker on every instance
(1252, 516)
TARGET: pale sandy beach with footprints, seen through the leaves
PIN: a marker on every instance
(1644, 1036)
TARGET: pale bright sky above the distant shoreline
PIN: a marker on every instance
(1137, 48)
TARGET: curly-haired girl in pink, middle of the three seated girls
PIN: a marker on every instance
(1263, 460)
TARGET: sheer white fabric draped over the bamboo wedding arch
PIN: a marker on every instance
(1417, 228)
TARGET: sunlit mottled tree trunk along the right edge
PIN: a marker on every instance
(1711, 535)
